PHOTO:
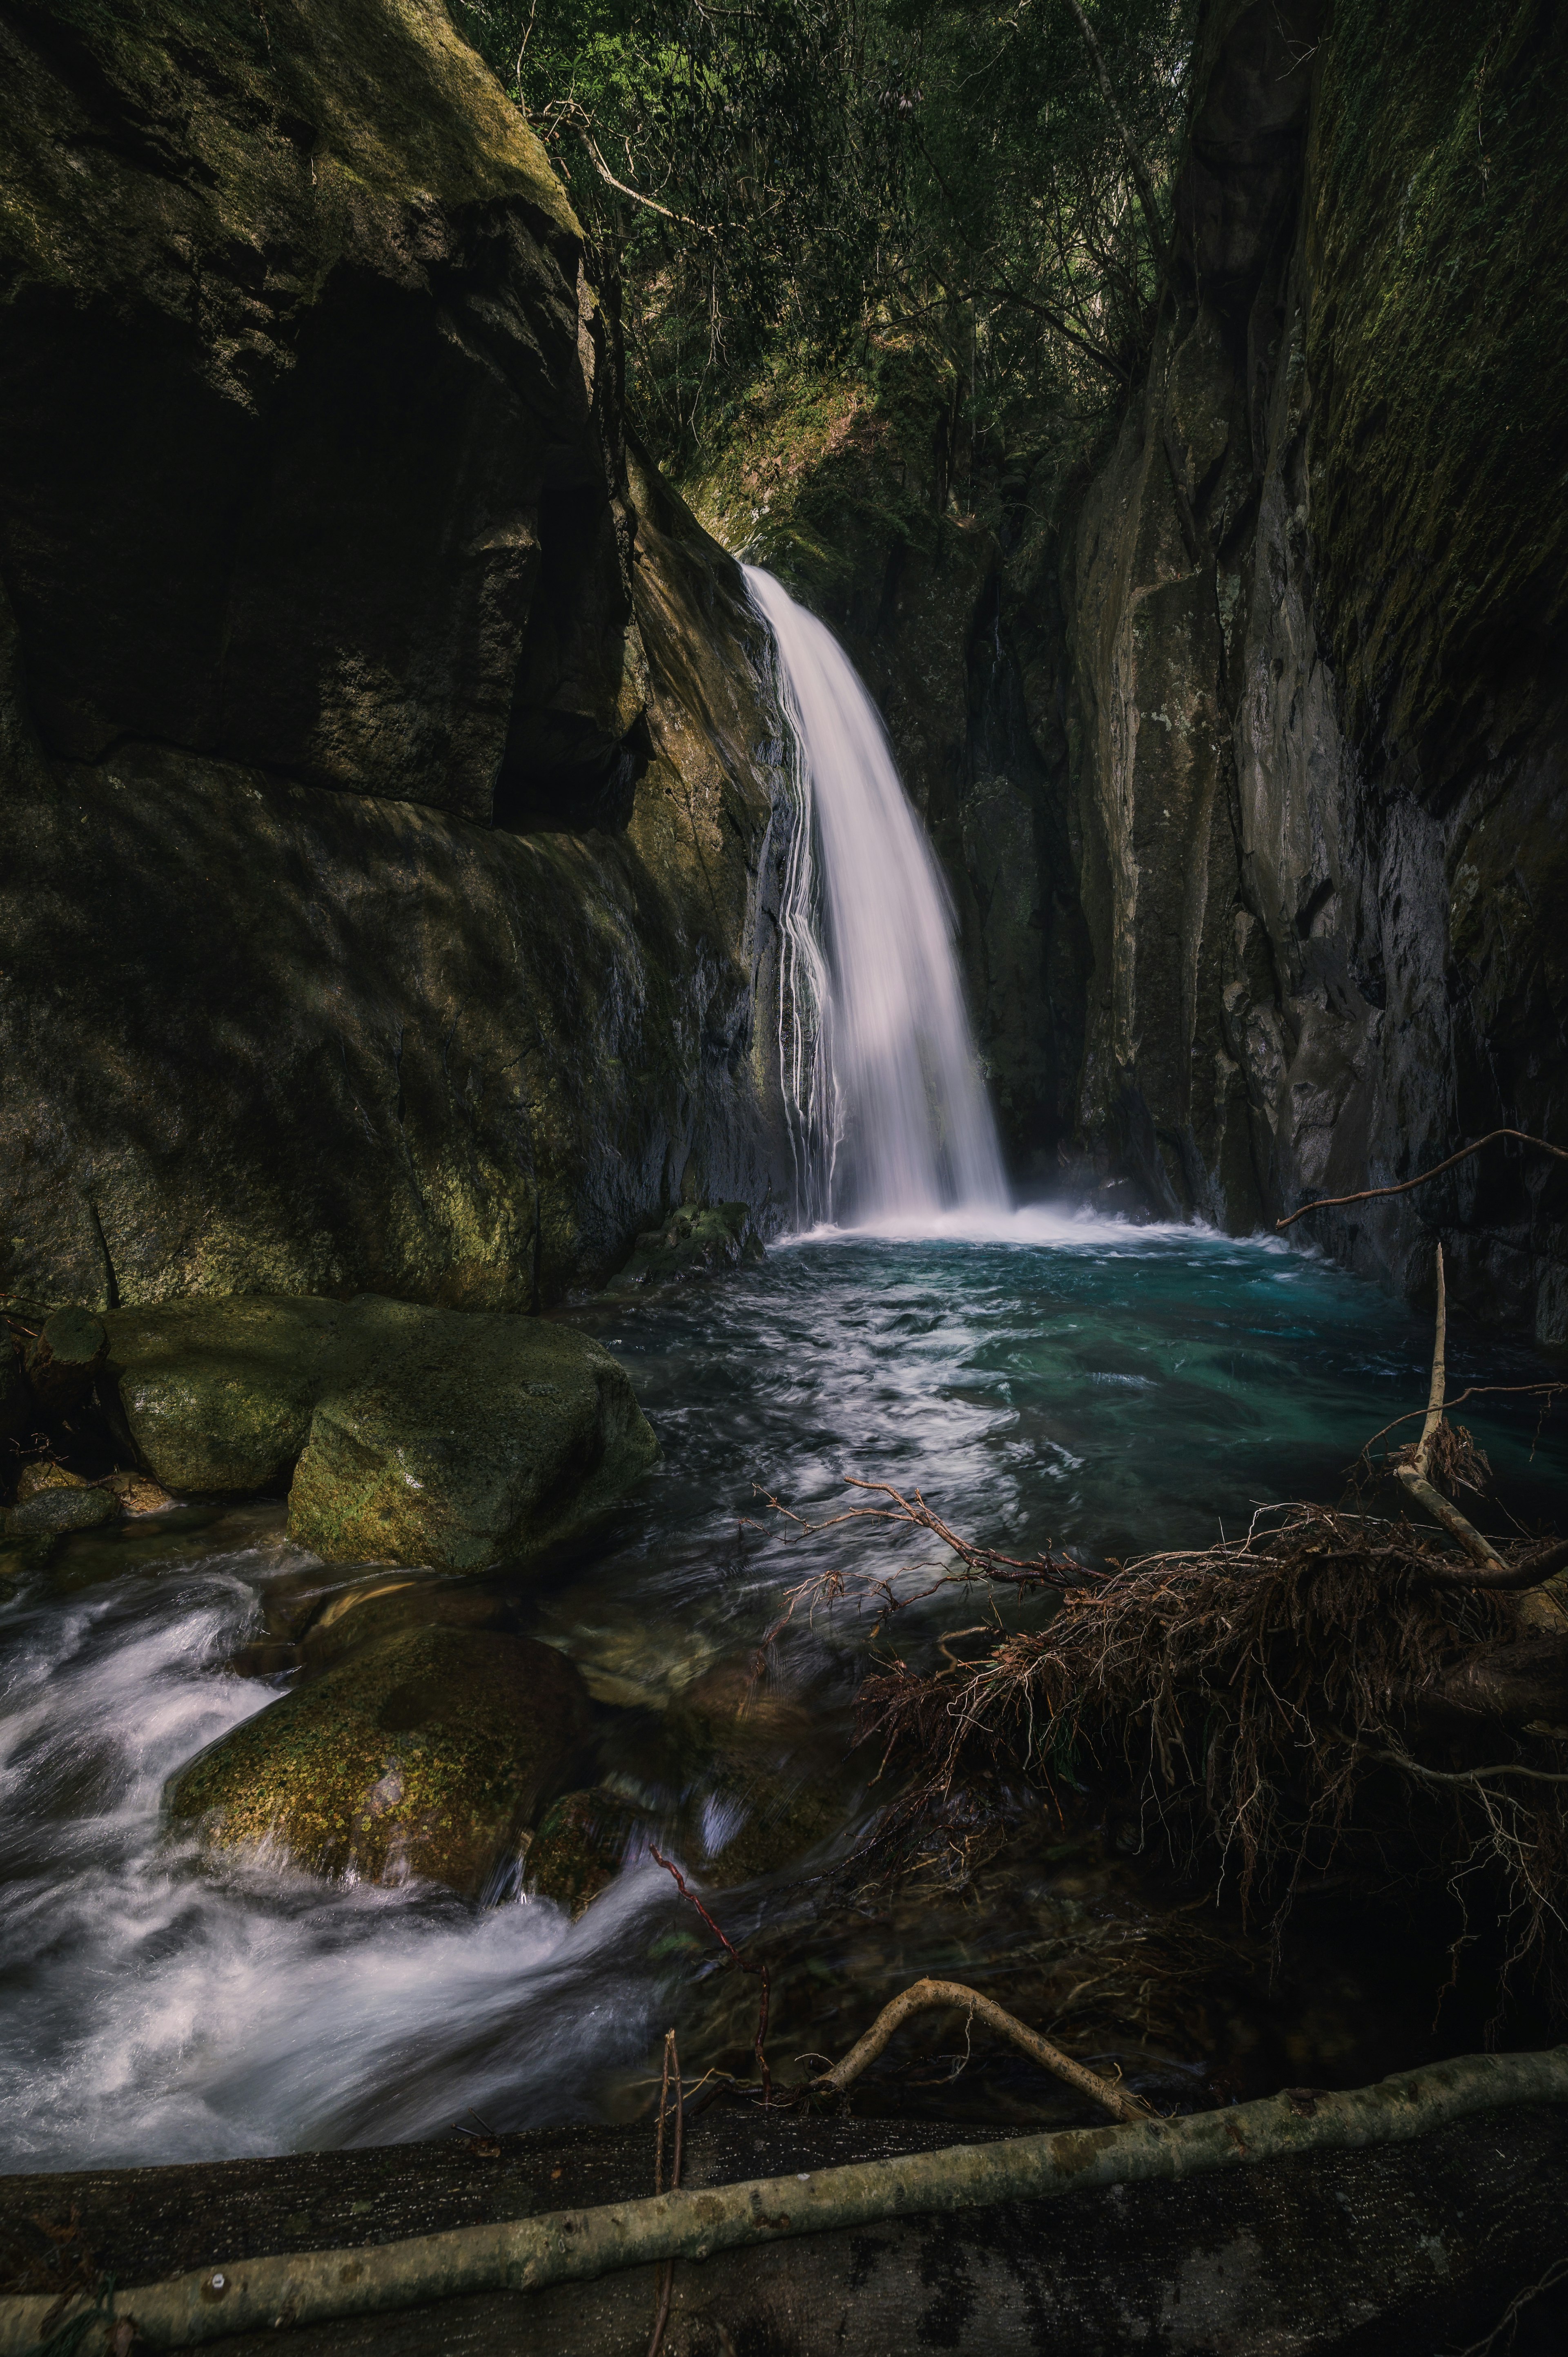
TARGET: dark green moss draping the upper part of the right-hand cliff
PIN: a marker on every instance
(1439, 458)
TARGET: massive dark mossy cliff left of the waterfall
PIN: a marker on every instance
(383, 753)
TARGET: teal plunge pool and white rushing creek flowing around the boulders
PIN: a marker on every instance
(1091, 1385)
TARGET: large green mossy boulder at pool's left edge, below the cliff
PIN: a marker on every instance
(411, 1437)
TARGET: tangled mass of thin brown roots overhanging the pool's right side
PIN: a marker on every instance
(1272, 1694)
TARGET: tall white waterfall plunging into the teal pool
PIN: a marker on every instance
(883, 1090)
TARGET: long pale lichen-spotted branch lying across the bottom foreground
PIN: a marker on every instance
(527, 2254)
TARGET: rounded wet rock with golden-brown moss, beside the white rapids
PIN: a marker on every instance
(421, 1757)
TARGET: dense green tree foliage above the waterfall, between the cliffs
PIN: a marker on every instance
(801, 173)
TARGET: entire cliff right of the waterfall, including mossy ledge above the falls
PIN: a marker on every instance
(1244, 741)
